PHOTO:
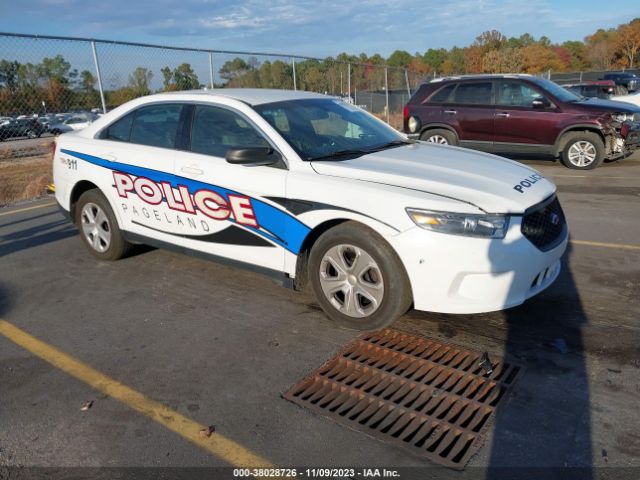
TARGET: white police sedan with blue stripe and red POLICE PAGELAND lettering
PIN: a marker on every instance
(304, 186)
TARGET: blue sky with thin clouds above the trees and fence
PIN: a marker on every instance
(312, 27)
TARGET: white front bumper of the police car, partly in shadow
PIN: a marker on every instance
(457, 274)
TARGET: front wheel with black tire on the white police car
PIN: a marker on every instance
(386, 274)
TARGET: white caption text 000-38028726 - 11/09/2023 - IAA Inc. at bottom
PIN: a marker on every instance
(315, 472)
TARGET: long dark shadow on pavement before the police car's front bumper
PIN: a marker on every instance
(544, 429)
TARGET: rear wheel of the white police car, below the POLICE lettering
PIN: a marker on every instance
(117, 246)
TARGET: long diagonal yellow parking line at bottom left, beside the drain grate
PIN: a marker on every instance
(220, 446)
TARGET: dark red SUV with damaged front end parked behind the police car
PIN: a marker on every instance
(522, 114)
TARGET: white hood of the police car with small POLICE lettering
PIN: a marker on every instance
(491, 183)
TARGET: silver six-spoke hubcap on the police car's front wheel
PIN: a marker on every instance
(351, 280)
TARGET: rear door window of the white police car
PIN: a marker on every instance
(156, 125)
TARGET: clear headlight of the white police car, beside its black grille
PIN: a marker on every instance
(487, 226)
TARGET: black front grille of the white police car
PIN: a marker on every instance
(539, 227)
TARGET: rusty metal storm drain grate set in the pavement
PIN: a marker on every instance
(433, 399)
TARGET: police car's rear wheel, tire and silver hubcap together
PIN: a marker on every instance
(98, 227)
